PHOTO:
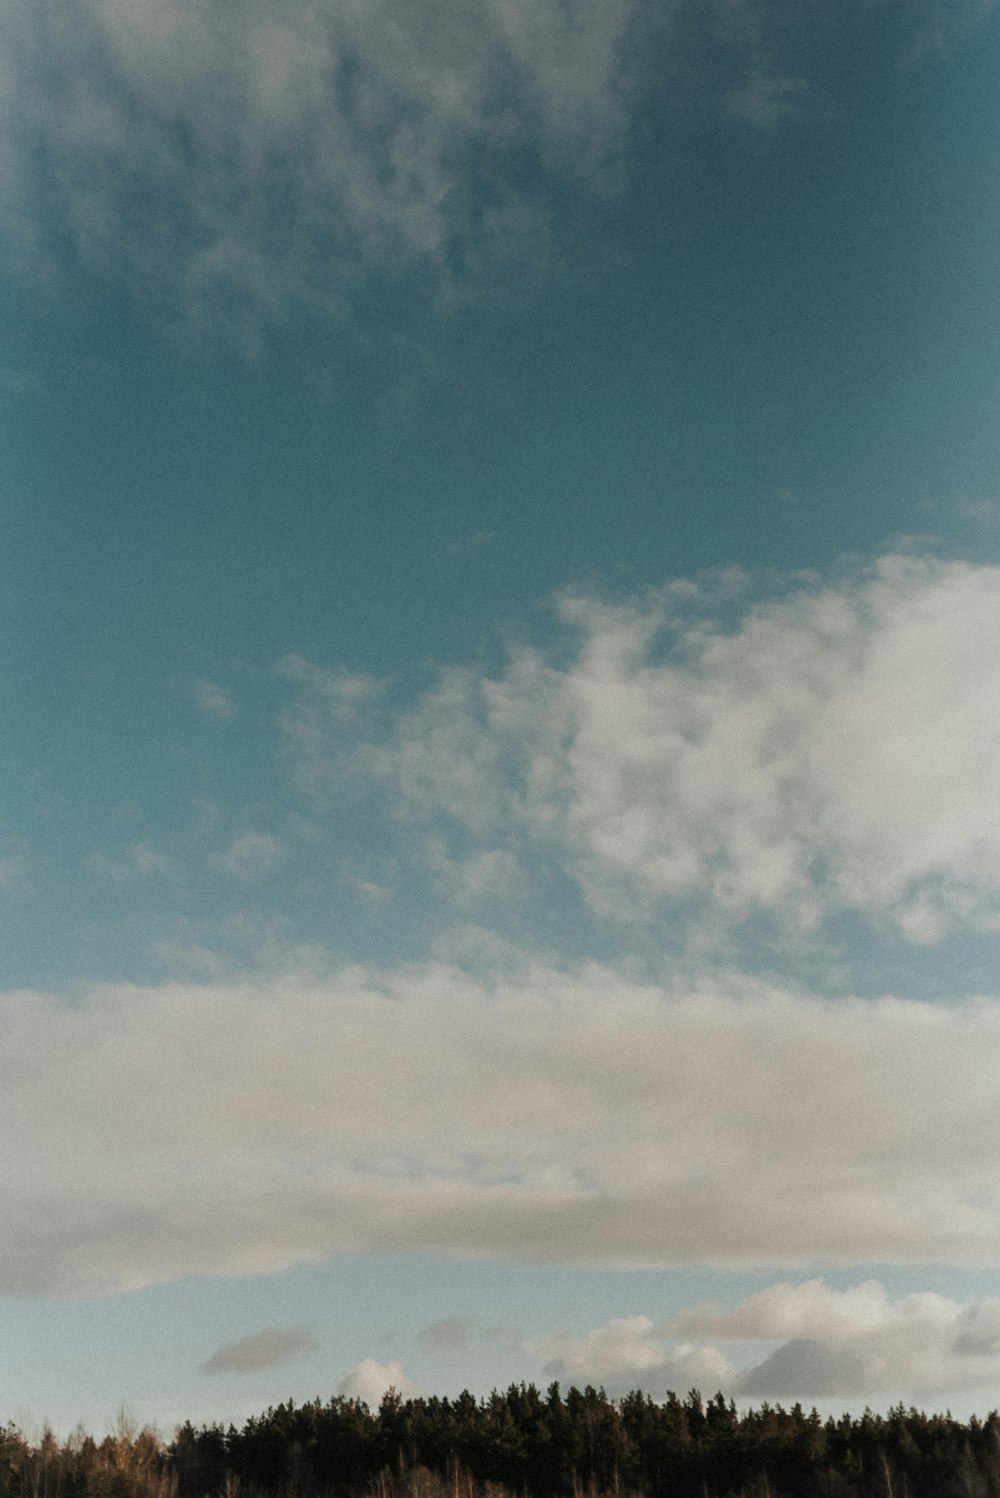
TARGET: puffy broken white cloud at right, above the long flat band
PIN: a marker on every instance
(829, 750)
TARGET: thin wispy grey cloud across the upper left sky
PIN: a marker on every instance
(258, 160)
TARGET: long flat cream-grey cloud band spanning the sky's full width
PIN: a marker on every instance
(549, 1117)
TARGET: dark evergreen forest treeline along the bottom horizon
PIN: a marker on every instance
(520, 1443)
